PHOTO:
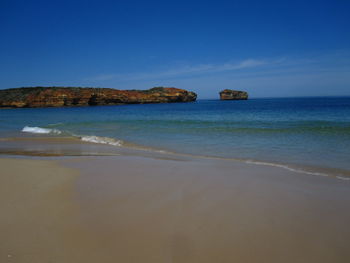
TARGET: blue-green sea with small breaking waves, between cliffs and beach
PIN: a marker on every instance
(306, 134)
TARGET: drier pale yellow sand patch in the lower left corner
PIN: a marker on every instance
(39, 218)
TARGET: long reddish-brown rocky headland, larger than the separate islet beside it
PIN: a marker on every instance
(71, 96)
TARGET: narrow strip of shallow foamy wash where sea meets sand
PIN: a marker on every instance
(76, 146)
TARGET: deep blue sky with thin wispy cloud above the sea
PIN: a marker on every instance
(268, 48)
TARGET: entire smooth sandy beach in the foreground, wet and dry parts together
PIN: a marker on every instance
(142, 209)
